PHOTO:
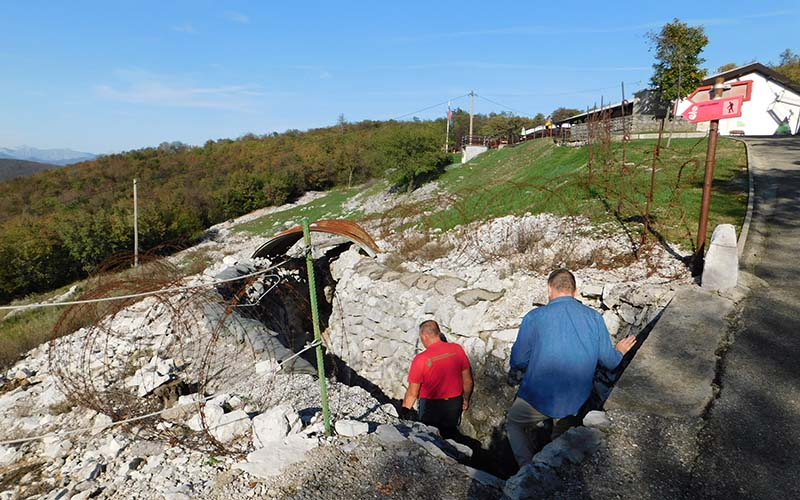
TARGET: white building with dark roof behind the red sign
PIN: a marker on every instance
(771, 107)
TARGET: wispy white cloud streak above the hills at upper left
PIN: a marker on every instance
(141, 87)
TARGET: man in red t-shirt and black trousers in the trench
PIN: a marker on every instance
(441, 378)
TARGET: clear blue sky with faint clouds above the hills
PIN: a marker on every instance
(116, 75)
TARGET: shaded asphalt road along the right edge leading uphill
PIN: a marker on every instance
(750, 447)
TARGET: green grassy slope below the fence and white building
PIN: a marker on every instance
(539, 177)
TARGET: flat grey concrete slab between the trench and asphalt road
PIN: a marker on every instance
(672, 372)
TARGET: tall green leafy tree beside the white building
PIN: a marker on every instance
(677, 48)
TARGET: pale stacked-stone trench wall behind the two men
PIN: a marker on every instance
(376, 313)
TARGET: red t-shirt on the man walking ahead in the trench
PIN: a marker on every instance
(438, 371)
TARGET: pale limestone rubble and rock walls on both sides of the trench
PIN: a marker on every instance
(218, 375)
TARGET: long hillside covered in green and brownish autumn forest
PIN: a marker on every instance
(58, 225)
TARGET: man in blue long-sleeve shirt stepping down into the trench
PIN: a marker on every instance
(558, 347)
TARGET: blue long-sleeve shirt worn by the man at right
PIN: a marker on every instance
(559, 346)
